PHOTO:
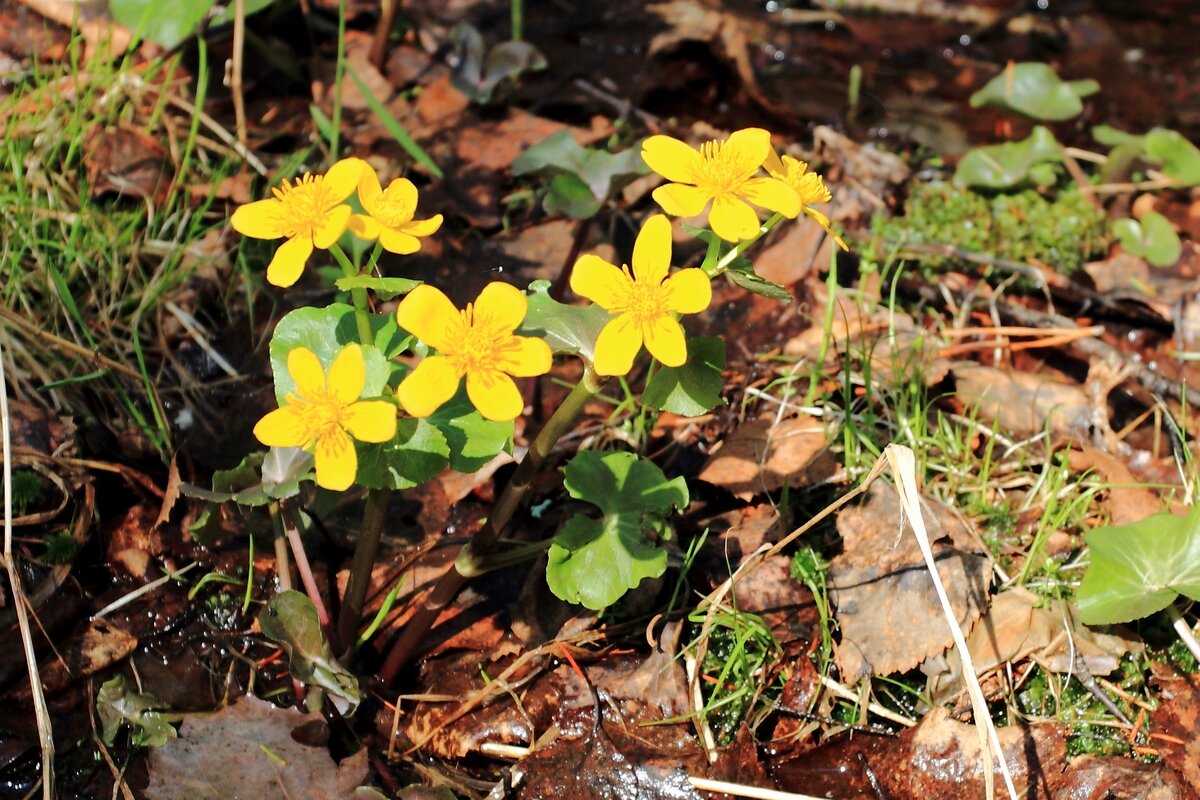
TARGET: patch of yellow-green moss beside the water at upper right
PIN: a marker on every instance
(1064, 233)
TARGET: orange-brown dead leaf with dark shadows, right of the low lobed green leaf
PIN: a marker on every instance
(761, 456)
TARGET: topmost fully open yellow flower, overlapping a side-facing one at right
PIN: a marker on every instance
(723, 172)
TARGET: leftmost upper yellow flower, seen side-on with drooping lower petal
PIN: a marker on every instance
(310, 213)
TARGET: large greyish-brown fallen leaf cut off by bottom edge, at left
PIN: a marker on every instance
(248, 750)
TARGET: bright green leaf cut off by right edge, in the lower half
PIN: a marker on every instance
(1141, 569)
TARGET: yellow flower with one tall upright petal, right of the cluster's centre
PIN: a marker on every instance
(644, 299)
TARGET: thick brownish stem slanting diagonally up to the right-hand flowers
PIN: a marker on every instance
(470, 561)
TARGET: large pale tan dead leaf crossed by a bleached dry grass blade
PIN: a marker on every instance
(889, 612)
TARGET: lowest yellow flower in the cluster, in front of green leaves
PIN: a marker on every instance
(325, 412)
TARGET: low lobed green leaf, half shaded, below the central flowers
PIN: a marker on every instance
(596, 562)
